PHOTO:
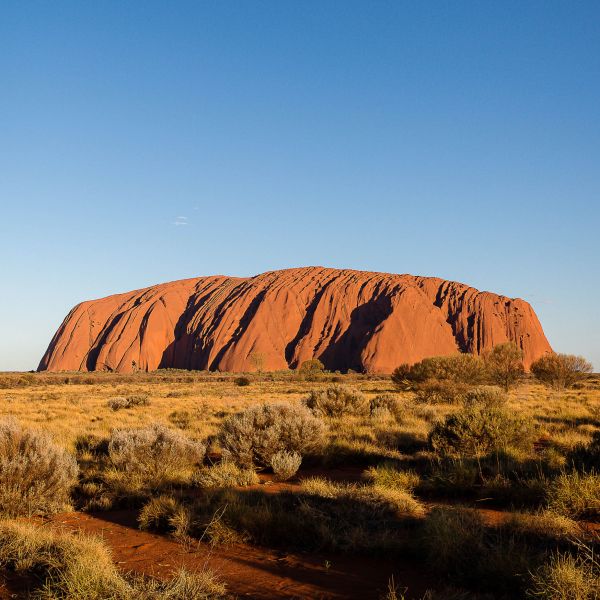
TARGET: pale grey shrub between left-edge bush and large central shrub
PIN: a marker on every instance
(154, 455)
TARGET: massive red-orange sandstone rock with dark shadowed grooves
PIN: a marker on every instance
(348, 319)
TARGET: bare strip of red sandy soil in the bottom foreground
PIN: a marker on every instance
(248, 571)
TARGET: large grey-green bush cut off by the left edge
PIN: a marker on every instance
(36, 475)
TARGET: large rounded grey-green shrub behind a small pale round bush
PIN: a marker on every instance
(254, 435)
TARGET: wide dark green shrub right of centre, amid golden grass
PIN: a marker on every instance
(478, 430)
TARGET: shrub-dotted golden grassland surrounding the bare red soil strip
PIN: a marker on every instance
(495, 492)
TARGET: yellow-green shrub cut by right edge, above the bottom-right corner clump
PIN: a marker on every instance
(575, 495)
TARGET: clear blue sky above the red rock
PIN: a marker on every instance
(143, 142)
